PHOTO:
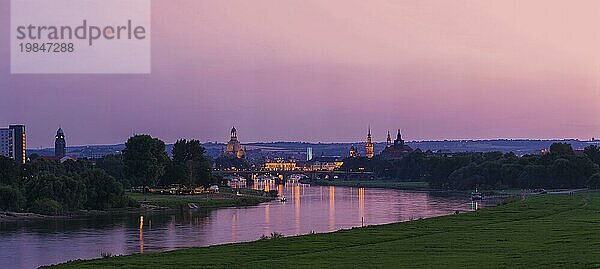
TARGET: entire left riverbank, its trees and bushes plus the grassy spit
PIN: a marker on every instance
(48, 187)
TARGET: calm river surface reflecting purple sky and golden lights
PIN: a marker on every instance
(308, 208)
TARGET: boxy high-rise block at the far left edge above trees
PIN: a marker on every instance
(13, 142)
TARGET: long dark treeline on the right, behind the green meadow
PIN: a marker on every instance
(559, 168)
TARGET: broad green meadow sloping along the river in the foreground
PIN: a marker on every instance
(545, 231)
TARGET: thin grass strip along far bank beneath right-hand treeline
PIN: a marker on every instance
(386, 184)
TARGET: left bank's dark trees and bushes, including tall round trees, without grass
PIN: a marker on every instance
(50, 187)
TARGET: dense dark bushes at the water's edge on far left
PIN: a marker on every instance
(49, 187)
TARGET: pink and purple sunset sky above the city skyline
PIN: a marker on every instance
(326, 70)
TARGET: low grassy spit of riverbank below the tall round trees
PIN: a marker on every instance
(207, 200)
